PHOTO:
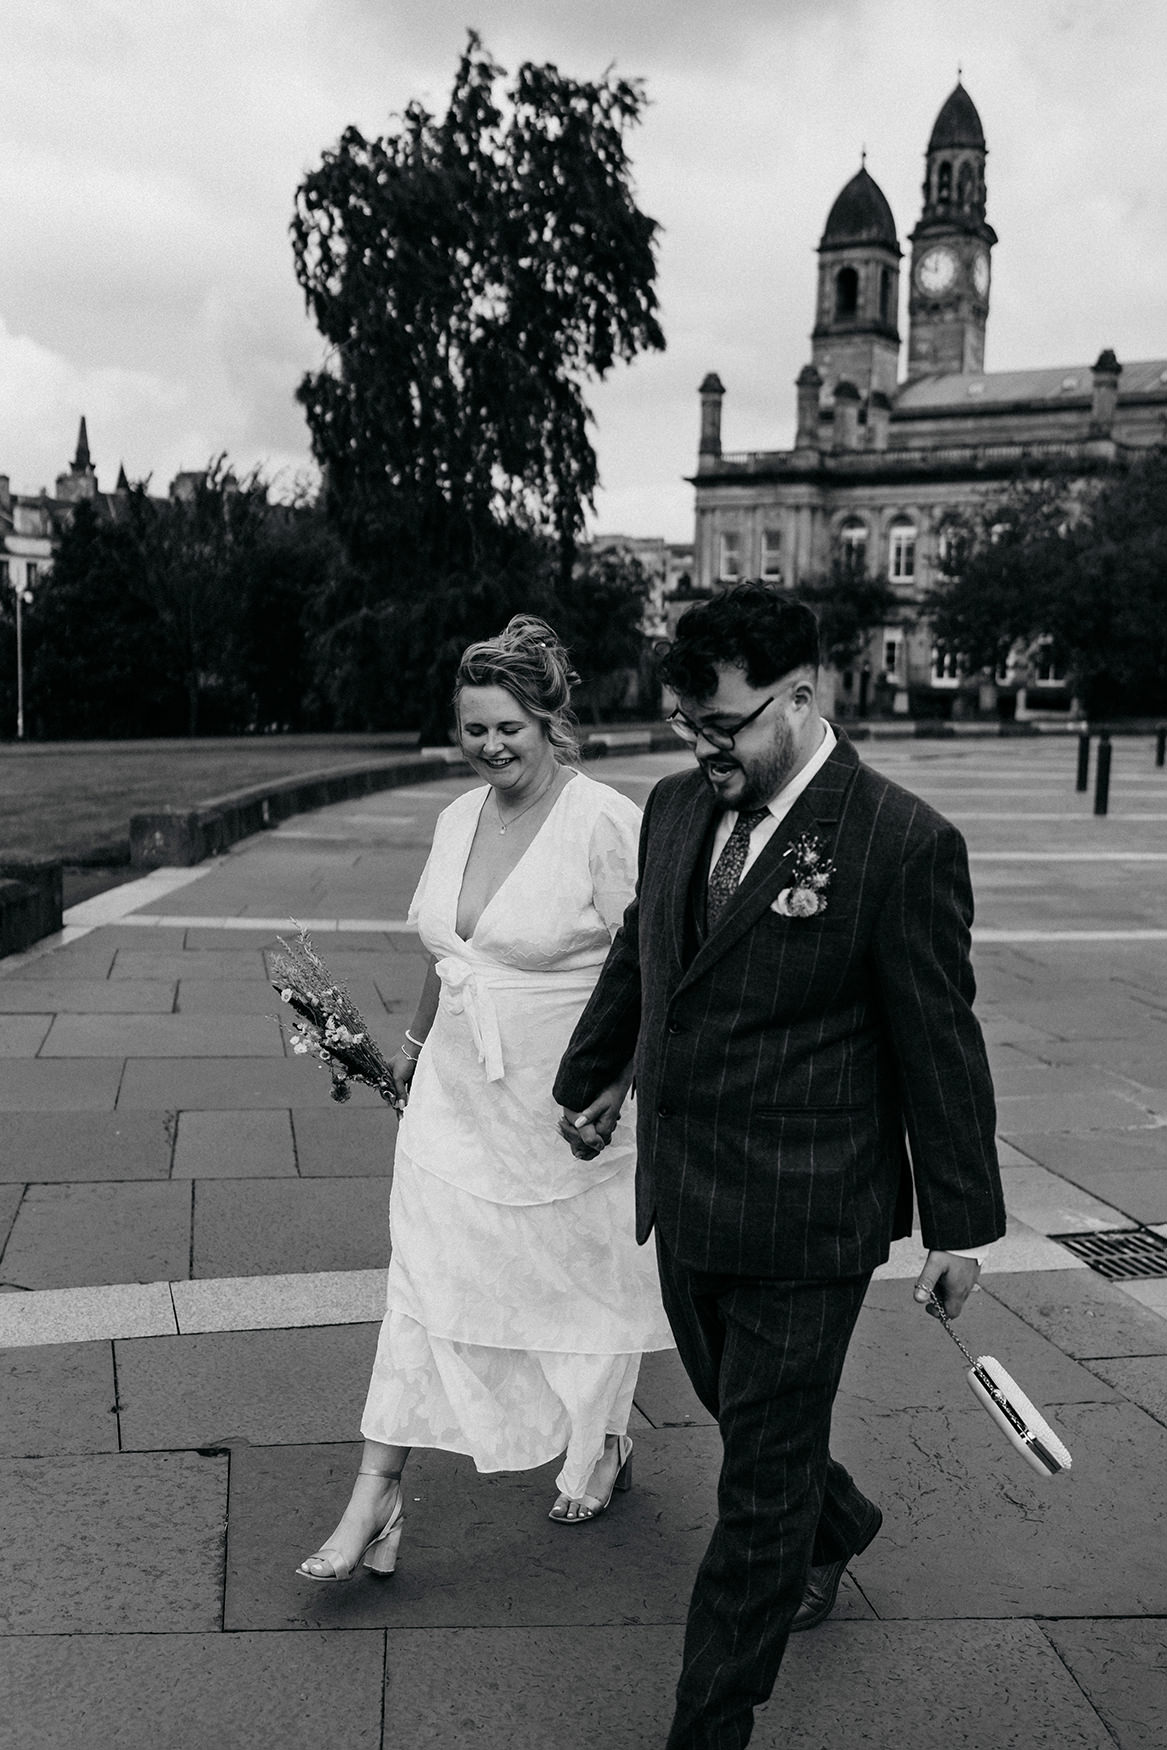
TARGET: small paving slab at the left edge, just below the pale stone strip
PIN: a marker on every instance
(59, 1399)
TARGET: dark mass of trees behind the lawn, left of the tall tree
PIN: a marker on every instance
(179, 615)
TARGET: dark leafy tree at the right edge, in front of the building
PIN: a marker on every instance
(1080, 564)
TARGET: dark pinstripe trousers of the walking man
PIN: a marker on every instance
(765, 1359)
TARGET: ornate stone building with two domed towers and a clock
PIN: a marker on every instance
(884, 465)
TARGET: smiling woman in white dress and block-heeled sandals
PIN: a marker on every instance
(519, 1301)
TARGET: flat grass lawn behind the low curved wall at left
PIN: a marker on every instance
(64, 799)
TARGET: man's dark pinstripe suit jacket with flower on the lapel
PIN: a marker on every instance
(781, 1063)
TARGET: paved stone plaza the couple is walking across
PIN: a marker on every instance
(193, 1243)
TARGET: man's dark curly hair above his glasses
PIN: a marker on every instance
(750, 627)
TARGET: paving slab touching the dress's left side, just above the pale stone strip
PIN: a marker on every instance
(274, 1228)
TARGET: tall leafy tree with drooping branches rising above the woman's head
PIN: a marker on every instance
(473, 276)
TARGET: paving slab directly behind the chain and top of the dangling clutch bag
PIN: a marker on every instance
(902, 1359)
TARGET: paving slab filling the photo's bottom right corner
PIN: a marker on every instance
(1122, 1670)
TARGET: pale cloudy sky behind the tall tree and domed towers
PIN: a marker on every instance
(150, 155)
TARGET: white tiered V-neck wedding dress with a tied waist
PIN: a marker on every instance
(519, 1299)
